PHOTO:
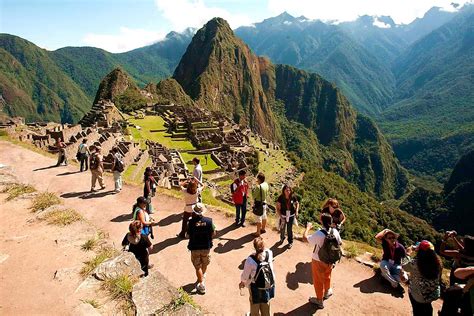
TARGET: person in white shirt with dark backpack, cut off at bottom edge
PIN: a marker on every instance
(259, 277)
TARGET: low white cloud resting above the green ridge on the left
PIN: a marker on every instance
(127, 39)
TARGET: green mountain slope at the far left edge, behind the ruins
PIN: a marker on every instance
(33, 86)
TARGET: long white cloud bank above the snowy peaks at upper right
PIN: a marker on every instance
(402, 11)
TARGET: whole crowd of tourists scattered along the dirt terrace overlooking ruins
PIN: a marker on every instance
(418, 265)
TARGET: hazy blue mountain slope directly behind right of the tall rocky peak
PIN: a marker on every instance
(327, 50)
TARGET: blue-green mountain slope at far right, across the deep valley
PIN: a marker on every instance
(435, 93)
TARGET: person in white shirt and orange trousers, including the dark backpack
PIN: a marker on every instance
(326, 253)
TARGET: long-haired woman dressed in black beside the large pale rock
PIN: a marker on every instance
(138, 244)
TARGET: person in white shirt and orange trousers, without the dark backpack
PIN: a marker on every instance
(321, 270)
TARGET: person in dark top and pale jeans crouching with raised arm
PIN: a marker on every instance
(393, 253)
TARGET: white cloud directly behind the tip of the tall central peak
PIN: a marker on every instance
(195, 13)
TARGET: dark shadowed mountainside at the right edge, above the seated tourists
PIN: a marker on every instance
(454, 207)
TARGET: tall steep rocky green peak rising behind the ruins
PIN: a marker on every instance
(220, 72)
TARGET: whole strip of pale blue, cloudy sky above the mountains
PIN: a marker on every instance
(122, 25)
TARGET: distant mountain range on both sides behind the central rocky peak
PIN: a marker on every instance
(415, 80)
